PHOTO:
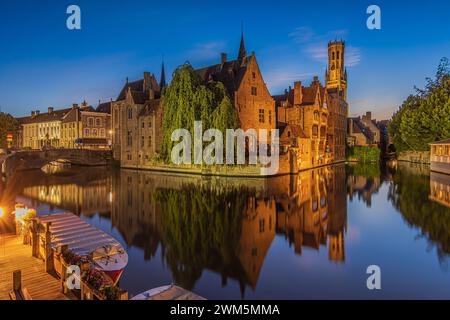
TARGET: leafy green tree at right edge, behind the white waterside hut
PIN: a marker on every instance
(424, 117)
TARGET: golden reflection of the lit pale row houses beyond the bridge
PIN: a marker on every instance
(87, 199)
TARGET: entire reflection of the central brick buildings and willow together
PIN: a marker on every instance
(228, 225)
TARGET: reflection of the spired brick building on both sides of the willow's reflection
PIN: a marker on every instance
(138, 216)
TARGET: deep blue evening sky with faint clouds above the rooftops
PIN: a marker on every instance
(42, 63)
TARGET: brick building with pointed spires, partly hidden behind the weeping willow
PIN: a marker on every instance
(137, 113)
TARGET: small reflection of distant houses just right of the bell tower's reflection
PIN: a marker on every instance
(364, 187)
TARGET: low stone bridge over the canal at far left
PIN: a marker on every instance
(26, 160)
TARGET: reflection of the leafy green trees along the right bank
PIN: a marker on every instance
(409, 194)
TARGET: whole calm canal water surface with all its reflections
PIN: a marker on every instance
(293, 237)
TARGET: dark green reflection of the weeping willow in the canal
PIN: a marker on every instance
(201, 228)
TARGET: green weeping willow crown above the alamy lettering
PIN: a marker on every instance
(188, 99)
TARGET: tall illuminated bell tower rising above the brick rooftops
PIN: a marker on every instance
(336, 74)
